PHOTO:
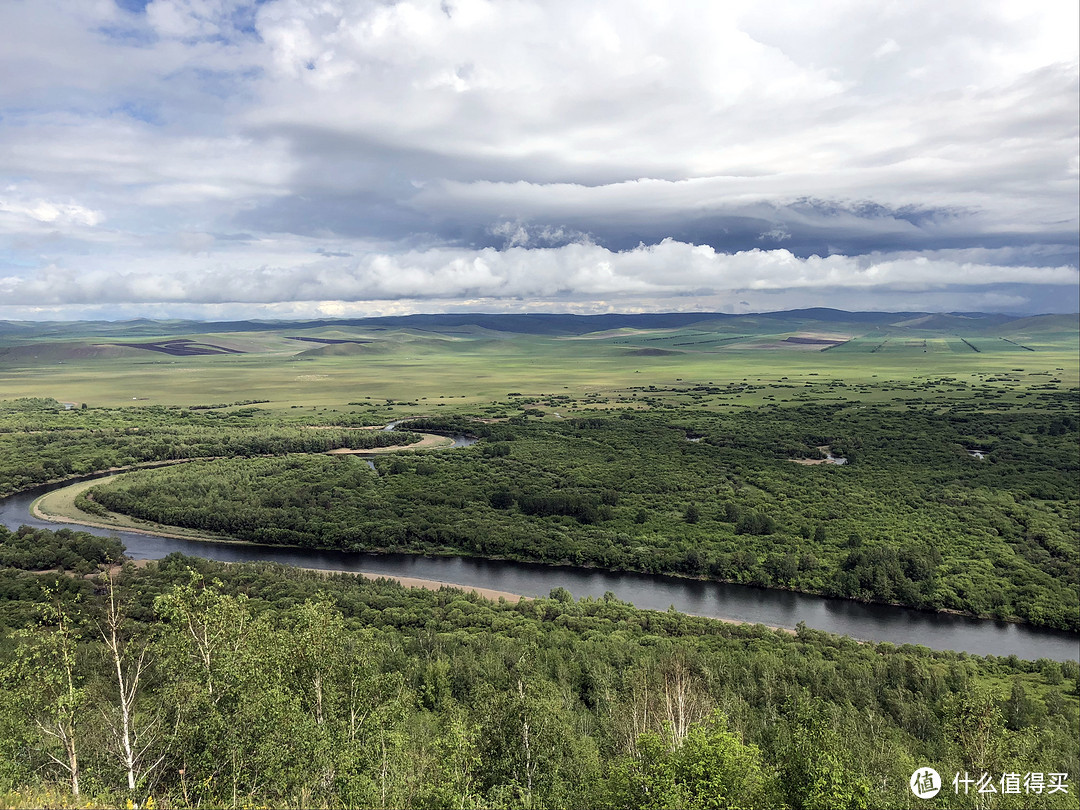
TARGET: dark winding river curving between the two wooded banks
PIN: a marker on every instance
(714, 600)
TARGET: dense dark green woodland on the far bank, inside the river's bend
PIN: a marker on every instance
(912, 518)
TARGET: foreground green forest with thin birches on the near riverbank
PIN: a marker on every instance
(190, 683)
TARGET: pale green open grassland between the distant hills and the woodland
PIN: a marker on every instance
(418, 371)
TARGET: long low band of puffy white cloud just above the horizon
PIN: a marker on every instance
(574, 272)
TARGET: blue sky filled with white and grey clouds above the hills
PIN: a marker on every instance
(217, 159)
